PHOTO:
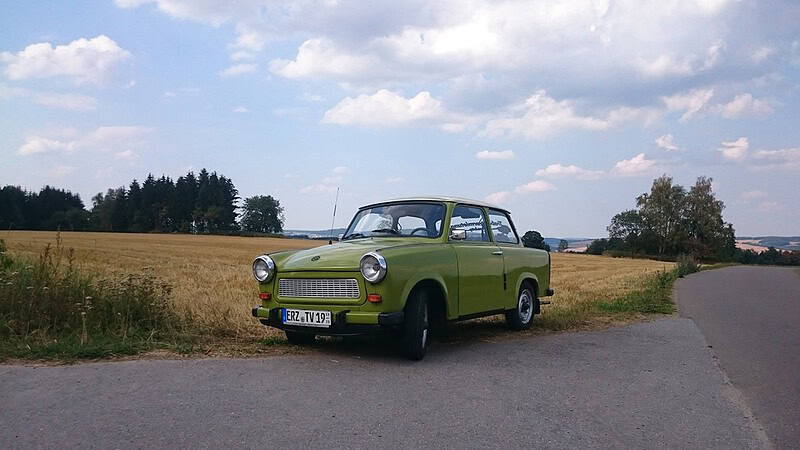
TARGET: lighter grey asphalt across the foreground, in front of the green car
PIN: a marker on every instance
(651, 385)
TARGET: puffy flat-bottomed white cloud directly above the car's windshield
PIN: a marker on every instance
(390, 109)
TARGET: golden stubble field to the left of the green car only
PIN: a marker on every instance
(210, 275)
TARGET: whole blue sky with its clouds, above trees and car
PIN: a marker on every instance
(562, 112)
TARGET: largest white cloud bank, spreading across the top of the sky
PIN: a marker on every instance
(414, 40)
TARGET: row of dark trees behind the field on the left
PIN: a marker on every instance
(201, 203)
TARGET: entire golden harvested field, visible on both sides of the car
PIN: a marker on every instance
(213, 288)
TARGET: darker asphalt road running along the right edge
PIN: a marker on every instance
(751, 317)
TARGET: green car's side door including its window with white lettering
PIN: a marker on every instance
(480, 262)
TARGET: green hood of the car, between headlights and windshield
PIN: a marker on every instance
(340, 256)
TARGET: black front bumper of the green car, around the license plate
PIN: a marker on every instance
(385, 321)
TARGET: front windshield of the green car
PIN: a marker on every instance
(399, 219)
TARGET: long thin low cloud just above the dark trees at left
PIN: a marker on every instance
(108, 138)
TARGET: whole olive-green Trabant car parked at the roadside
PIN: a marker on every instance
(395, 269)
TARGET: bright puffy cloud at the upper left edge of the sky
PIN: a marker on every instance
(83, 60)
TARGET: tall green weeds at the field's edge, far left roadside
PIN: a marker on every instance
(49, 300)
